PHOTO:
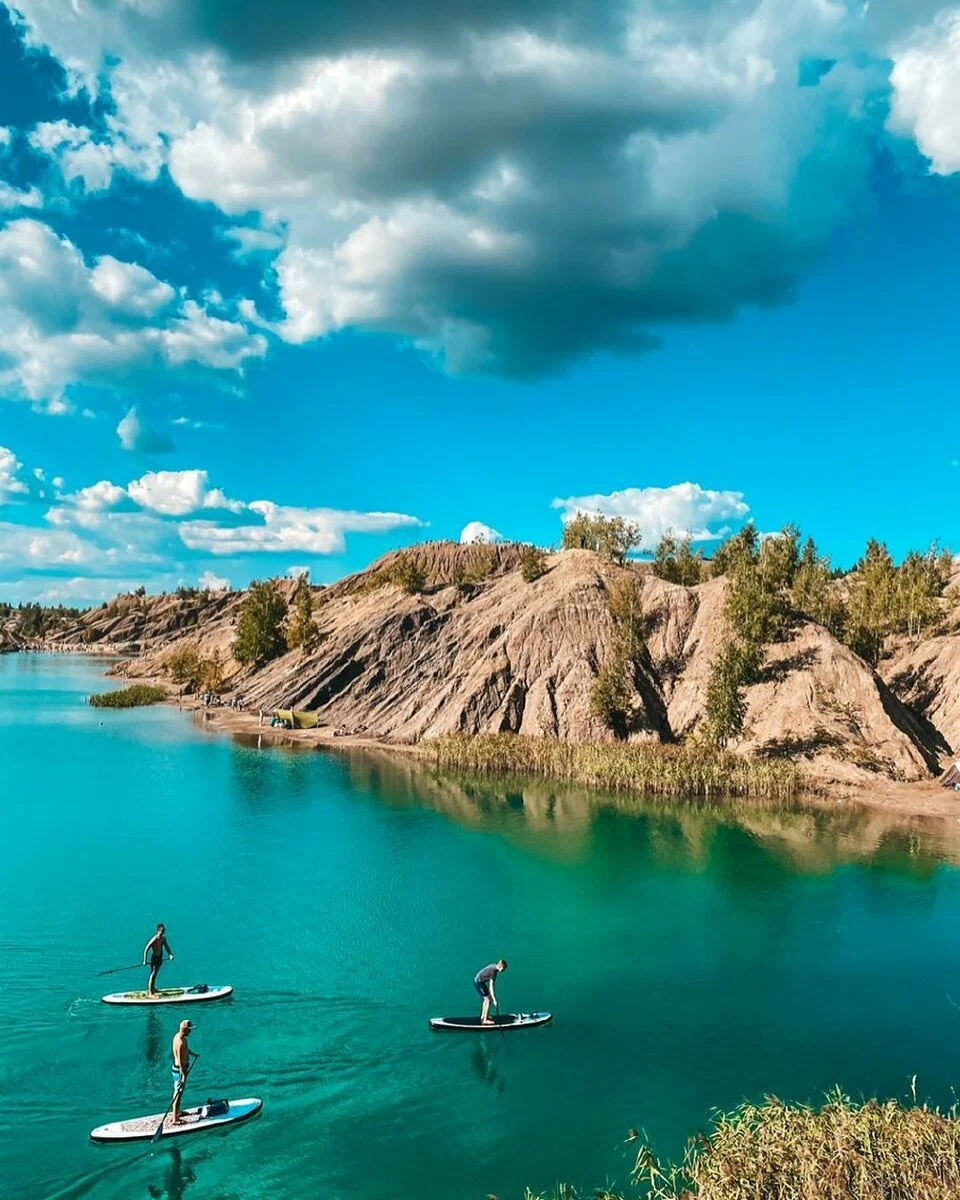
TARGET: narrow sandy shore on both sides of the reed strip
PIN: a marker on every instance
(923, 800)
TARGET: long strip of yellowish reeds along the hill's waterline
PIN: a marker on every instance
(651, 769)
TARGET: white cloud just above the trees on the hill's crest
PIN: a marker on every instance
(683, 509)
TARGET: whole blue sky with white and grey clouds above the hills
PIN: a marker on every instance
(289, 285)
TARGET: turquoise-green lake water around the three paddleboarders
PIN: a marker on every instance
(691, 959)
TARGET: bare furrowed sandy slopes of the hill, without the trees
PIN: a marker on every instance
(491, 652)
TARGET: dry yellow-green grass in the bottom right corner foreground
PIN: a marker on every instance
(842, 1151)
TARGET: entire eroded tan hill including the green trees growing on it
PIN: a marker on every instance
(764, 650)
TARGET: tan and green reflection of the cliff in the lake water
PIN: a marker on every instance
(808, 838)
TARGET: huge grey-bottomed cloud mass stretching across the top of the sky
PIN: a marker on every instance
(514, 184)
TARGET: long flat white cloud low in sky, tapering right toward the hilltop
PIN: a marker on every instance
(289, 530)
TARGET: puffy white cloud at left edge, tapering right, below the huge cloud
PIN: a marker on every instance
(64, 322)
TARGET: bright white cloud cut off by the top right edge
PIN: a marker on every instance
(927, 92)
